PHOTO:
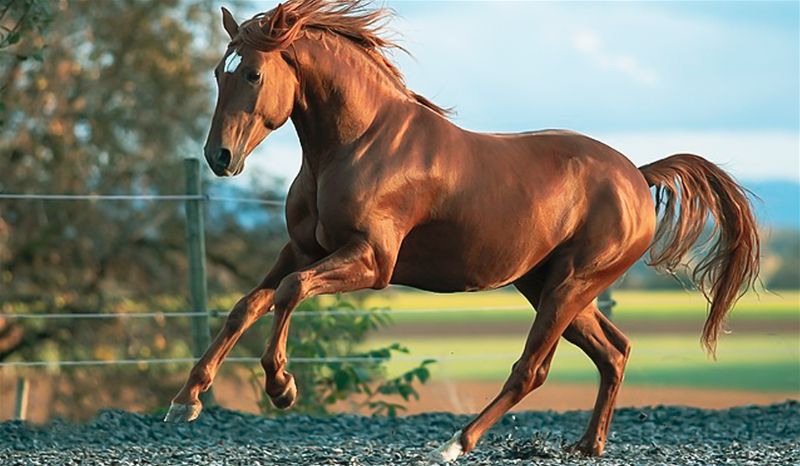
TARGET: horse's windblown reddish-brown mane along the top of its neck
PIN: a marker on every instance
(353, 19)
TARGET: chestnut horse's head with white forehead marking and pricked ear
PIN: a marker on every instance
(256, 94)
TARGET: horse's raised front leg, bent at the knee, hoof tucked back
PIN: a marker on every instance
(355, 266)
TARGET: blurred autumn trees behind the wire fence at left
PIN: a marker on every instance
(108, 98)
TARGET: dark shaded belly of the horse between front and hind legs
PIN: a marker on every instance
(441, 257)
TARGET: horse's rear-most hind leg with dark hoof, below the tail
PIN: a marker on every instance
(608, 348)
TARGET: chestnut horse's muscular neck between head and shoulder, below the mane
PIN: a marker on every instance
(342, 93)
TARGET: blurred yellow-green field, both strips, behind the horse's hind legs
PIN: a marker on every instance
(745, 361)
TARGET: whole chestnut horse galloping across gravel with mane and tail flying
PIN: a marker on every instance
(390, 191)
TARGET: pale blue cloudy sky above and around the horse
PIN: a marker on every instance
(720, 79)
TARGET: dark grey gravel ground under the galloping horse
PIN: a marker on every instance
(756, 435)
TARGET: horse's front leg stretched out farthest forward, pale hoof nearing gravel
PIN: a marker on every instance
(186, 405)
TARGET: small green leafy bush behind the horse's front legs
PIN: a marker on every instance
(345, 374)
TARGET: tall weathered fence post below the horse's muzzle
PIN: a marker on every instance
(196, 242)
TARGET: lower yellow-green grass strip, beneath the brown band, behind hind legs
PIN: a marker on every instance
(745, 362)
